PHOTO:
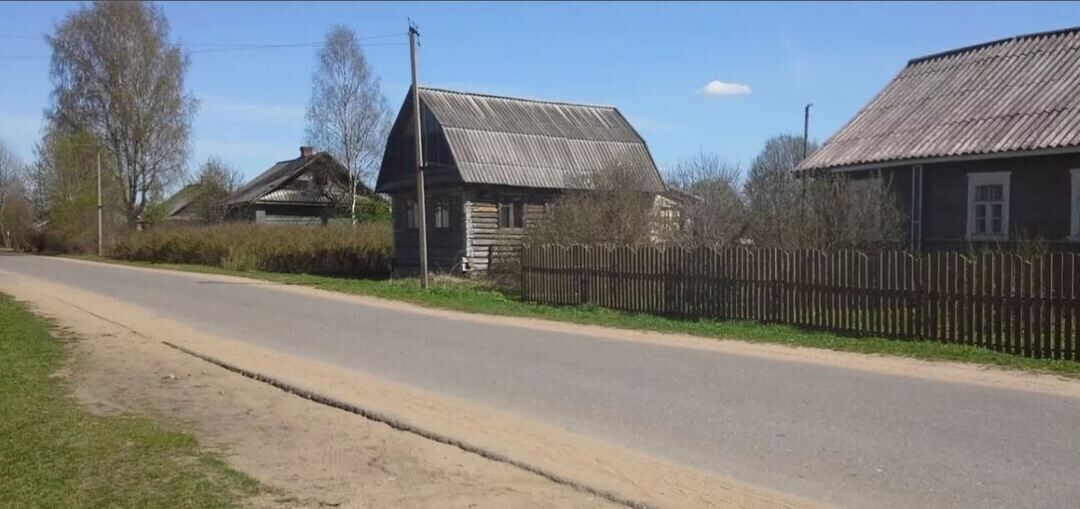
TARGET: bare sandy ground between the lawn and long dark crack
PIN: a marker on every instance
(307, 454)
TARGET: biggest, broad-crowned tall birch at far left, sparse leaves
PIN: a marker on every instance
(117, 77)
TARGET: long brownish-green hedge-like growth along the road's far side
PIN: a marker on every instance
(339, 250)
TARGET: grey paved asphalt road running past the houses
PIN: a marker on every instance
(844, 437)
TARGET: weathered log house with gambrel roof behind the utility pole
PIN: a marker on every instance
(492, 165)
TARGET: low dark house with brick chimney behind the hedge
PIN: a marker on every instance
(309, 190)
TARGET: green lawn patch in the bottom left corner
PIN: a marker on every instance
(56, 454)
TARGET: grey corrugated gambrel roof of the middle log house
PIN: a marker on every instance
(529, 143)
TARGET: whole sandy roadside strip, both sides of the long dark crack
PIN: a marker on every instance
(317, 457)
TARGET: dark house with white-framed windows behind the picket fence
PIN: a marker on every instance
(982, 144)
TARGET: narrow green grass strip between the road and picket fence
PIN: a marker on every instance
(475, 298)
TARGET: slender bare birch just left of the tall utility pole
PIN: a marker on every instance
(348, 116)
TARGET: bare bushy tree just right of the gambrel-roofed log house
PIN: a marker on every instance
(713, 211)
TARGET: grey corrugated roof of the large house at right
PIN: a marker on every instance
(1016, 95)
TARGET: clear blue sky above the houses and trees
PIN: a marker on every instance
(653, 61)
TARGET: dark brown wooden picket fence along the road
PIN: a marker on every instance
(1025, 306)
